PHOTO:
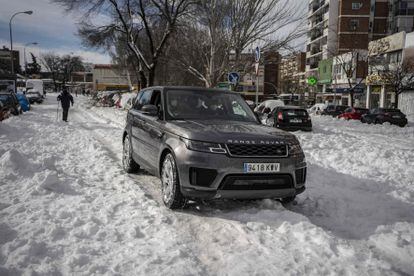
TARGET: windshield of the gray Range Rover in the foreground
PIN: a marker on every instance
(207, 105)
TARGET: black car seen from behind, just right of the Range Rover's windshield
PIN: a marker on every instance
(290, 118)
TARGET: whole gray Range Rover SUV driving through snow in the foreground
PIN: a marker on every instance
(207, 143)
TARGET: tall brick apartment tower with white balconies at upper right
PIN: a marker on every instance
(338, 26)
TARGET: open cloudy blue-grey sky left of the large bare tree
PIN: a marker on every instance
(50, 26)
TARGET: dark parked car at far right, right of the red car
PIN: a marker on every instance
(382, 115)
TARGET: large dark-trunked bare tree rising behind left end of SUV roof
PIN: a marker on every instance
(155, 20)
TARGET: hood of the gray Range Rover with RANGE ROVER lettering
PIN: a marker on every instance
(228, 131)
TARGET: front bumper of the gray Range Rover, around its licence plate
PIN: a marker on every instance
(292, 172)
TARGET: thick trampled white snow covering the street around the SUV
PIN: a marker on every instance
(67, 207)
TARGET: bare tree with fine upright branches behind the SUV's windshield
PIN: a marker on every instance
(219, 34)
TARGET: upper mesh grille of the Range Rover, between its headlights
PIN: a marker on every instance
(257, 150)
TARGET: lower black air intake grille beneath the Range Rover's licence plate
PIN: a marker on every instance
(257, 182)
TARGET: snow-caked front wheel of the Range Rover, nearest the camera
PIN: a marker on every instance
(170, 184)
